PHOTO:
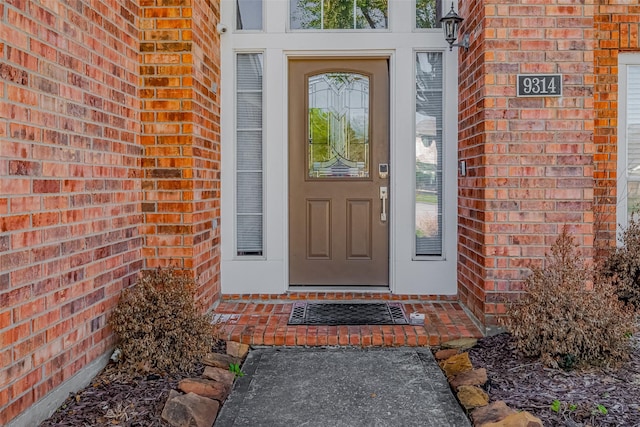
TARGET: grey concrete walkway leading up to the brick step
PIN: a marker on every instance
(337, 387)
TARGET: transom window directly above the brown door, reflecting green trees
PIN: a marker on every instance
(338, 14)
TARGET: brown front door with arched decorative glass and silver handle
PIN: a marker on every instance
(338, 171)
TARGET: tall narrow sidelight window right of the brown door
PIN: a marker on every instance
(428, 142)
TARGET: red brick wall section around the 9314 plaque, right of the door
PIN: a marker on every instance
(529, 160)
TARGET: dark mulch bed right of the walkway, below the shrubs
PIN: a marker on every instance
(525, 384)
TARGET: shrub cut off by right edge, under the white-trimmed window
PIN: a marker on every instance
(622, 266)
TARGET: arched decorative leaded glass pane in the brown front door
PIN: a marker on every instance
(338, 125)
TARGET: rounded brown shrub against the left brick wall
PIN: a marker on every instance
(159, 326)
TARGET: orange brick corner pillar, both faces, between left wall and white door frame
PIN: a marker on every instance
(180, 135)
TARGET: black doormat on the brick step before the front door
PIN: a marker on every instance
(347, 314)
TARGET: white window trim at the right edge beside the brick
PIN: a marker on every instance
(624, 60)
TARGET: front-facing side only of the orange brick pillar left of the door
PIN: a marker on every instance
(167, 132)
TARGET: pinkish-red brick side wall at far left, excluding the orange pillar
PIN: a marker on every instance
(69, 188)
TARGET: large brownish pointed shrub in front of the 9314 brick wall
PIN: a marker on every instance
(565, 318)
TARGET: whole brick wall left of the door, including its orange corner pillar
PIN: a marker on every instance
(109, 123)
